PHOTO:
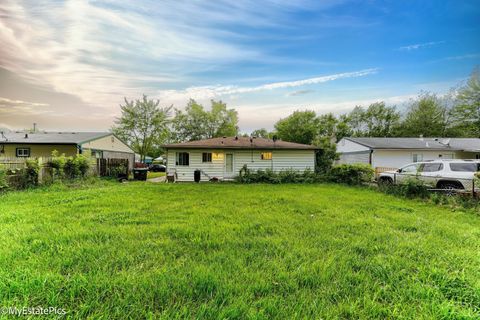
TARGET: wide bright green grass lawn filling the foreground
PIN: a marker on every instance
(226, 251)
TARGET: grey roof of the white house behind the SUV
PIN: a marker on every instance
(452, 144)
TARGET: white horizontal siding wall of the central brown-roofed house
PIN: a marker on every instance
(281, 160)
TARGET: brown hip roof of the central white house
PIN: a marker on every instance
(240, 143)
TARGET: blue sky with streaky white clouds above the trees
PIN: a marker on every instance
(68, 64)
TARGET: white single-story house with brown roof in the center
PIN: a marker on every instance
(222, 158)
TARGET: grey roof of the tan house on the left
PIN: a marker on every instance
(51, 137)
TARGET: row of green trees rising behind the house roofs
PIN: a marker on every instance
(146, 126)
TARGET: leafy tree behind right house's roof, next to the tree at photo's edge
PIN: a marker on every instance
(426, 116)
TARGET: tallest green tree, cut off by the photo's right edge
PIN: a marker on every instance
(466, 114)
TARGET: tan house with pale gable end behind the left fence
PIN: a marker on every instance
(42, 144)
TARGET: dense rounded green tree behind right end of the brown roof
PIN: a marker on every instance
(300, 127)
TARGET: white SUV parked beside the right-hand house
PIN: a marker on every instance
(439, 174)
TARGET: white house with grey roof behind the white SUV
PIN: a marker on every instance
(397, 152)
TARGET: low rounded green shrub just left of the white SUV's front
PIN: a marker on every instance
(352, 174)
